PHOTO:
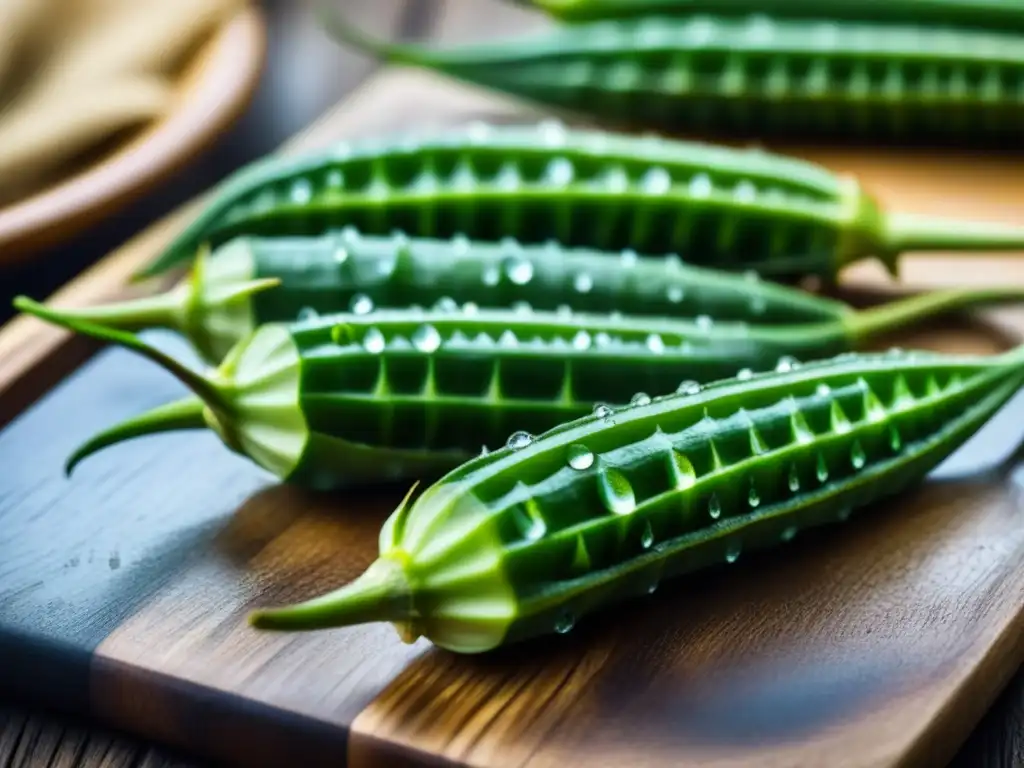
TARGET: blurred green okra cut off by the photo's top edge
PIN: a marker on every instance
(993, 15)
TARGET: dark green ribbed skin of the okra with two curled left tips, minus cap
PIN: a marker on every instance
(424, 391)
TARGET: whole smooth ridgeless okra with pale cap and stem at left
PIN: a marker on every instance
(227, 296)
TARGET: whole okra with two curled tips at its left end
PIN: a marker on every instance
(397, 395)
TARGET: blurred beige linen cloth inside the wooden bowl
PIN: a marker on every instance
(76, 75)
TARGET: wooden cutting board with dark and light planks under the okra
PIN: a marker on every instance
(124, 590)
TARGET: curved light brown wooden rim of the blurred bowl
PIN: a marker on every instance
(217, 87)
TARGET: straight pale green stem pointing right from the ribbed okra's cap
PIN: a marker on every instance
(908, 232)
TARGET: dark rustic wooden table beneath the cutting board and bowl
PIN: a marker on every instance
(298, 55)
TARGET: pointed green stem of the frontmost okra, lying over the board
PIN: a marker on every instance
(382, 593)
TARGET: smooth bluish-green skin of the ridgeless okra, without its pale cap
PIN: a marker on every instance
(351, 273)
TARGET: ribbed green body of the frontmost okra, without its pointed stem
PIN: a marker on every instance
(571, 541)
